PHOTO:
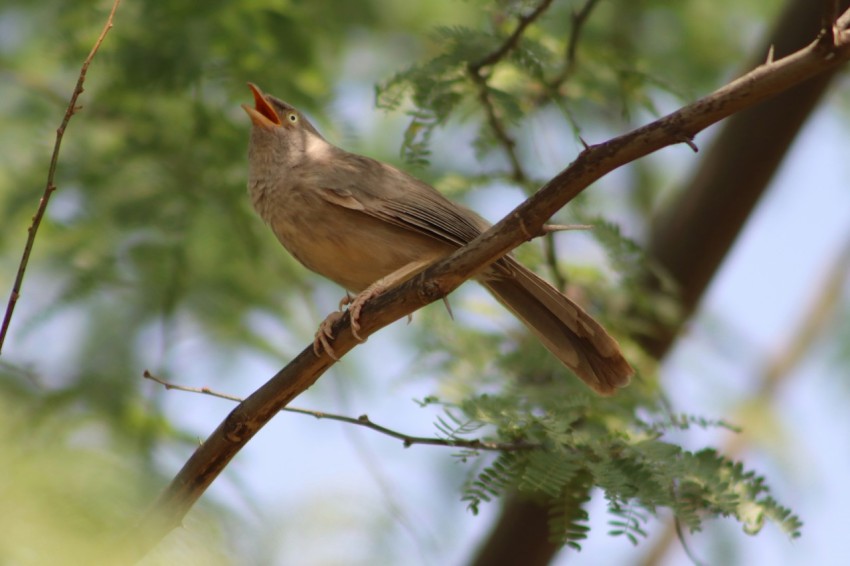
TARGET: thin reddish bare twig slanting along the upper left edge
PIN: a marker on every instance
(50, 186)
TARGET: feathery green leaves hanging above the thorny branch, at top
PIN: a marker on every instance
(619, 64)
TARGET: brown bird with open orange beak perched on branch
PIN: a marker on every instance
(367, 226)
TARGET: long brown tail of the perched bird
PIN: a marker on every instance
(561, 325)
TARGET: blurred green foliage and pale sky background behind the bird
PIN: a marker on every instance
(151, 258)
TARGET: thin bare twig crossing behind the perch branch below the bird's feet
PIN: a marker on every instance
(362, 420)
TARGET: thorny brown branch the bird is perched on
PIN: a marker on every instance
(446, 275)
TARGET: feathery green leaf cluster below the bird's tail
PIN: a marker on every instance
(576, 443)
